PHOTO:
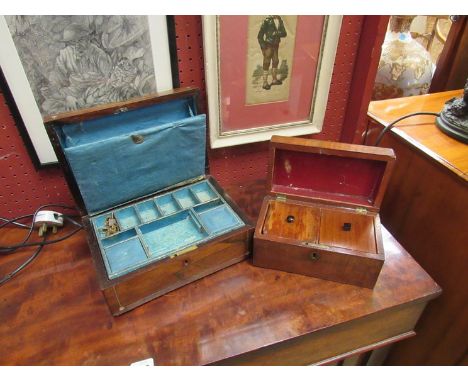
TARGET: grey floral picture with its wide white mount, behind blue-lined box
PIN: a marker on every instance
(55, 64)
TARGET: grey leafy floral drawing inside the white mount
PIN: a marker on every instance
(74, 62)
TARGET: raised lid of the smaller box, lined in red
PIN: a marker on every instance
(329, 172)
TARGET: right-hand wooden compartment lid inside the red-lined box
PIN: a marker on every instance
(360, 236)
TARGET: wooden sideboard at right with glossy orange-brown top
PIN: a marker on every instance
(426, 209)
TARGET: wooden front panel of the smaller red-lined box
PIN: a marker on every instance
(341, 267)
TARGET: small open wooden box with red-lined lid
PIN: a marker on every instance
(321, 217)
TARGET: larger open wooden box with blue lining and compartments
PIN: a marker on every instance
(154, 220)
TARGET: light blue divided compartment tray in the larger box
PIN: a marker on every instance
(161, 226)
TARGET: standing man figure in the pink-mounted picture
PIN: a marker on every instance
(269, 37)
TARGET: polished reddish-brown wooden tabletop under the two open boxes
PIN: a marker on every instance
(53, 313)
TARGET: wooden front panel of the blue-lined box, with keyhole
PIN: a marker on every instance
(178, 271)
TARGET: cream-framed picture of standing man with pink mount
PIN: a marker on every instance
(267, 75)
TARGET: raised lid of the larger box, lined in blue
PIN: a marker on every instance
(123, 151)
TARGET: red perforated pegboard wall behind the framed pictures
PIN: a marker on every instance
(23, 188)
